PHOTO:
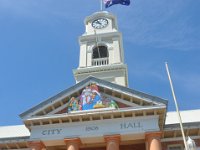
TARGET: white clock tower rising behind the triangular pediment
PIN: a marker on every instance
(101, 50)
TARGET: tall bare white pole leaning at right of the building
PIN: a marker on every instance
(177, 109)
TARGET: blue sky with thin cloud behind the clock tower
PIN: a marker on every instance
(39, 48)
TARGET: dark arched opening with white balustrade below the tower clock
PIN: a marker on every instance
(100, 56)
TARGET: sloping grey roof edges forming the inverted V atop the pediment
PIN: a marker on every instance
(105, 84)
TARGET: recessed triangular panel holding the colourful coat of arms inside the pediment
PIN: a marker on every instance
(92, 102)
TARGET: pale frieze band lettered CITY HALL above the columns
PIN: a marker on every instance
(97, 129)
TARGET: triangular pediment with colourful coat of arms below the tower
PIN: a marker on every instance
(107, 96)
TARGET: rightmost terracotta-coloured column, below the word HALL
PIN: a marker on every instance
(153, 141)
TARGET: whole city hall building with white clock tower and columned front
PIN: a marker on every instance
(100, 112)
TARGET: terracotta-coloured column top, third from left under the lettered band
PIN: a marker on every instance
(112, 142)
